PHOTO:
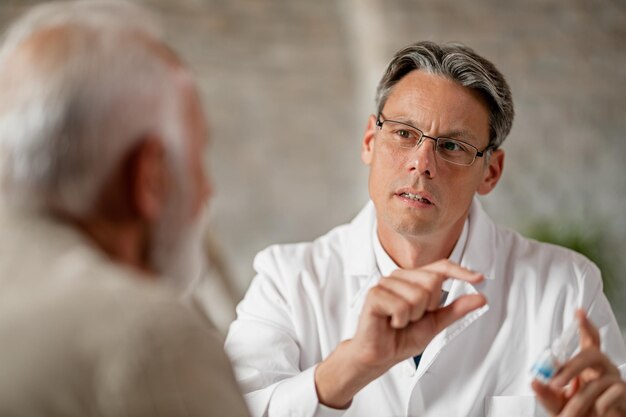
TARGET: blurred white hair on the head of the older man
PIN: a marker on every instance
(69, 111)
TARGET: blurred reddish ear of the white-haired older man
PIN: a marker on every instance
(148, 179)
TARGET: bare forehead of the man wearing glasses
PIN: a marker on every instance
(435, 102)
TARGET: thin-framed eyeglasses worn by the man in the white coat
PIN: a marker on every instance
(406, 136)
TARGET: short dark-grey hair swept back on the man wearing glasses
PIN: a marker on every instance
(462, 65)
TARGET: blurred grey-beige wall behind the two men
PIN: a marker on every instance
(288, 86)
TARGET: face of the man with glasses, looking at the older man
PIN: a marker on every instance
(415, 191)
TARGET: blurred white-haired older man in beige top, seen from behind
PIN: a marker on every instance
(101, 136)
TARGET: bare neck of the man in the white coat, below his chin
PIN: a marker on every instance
(411, 252)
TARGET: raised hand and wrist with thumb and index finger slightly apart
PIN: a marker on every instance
(400, 316)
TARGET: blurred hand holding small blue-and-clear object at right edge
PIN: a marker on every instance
(595, 389)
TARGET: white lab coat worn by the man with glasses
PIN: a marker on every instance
(307, 298)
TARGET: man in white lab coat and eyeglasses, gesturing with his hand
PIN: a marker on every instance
(365, 321)
